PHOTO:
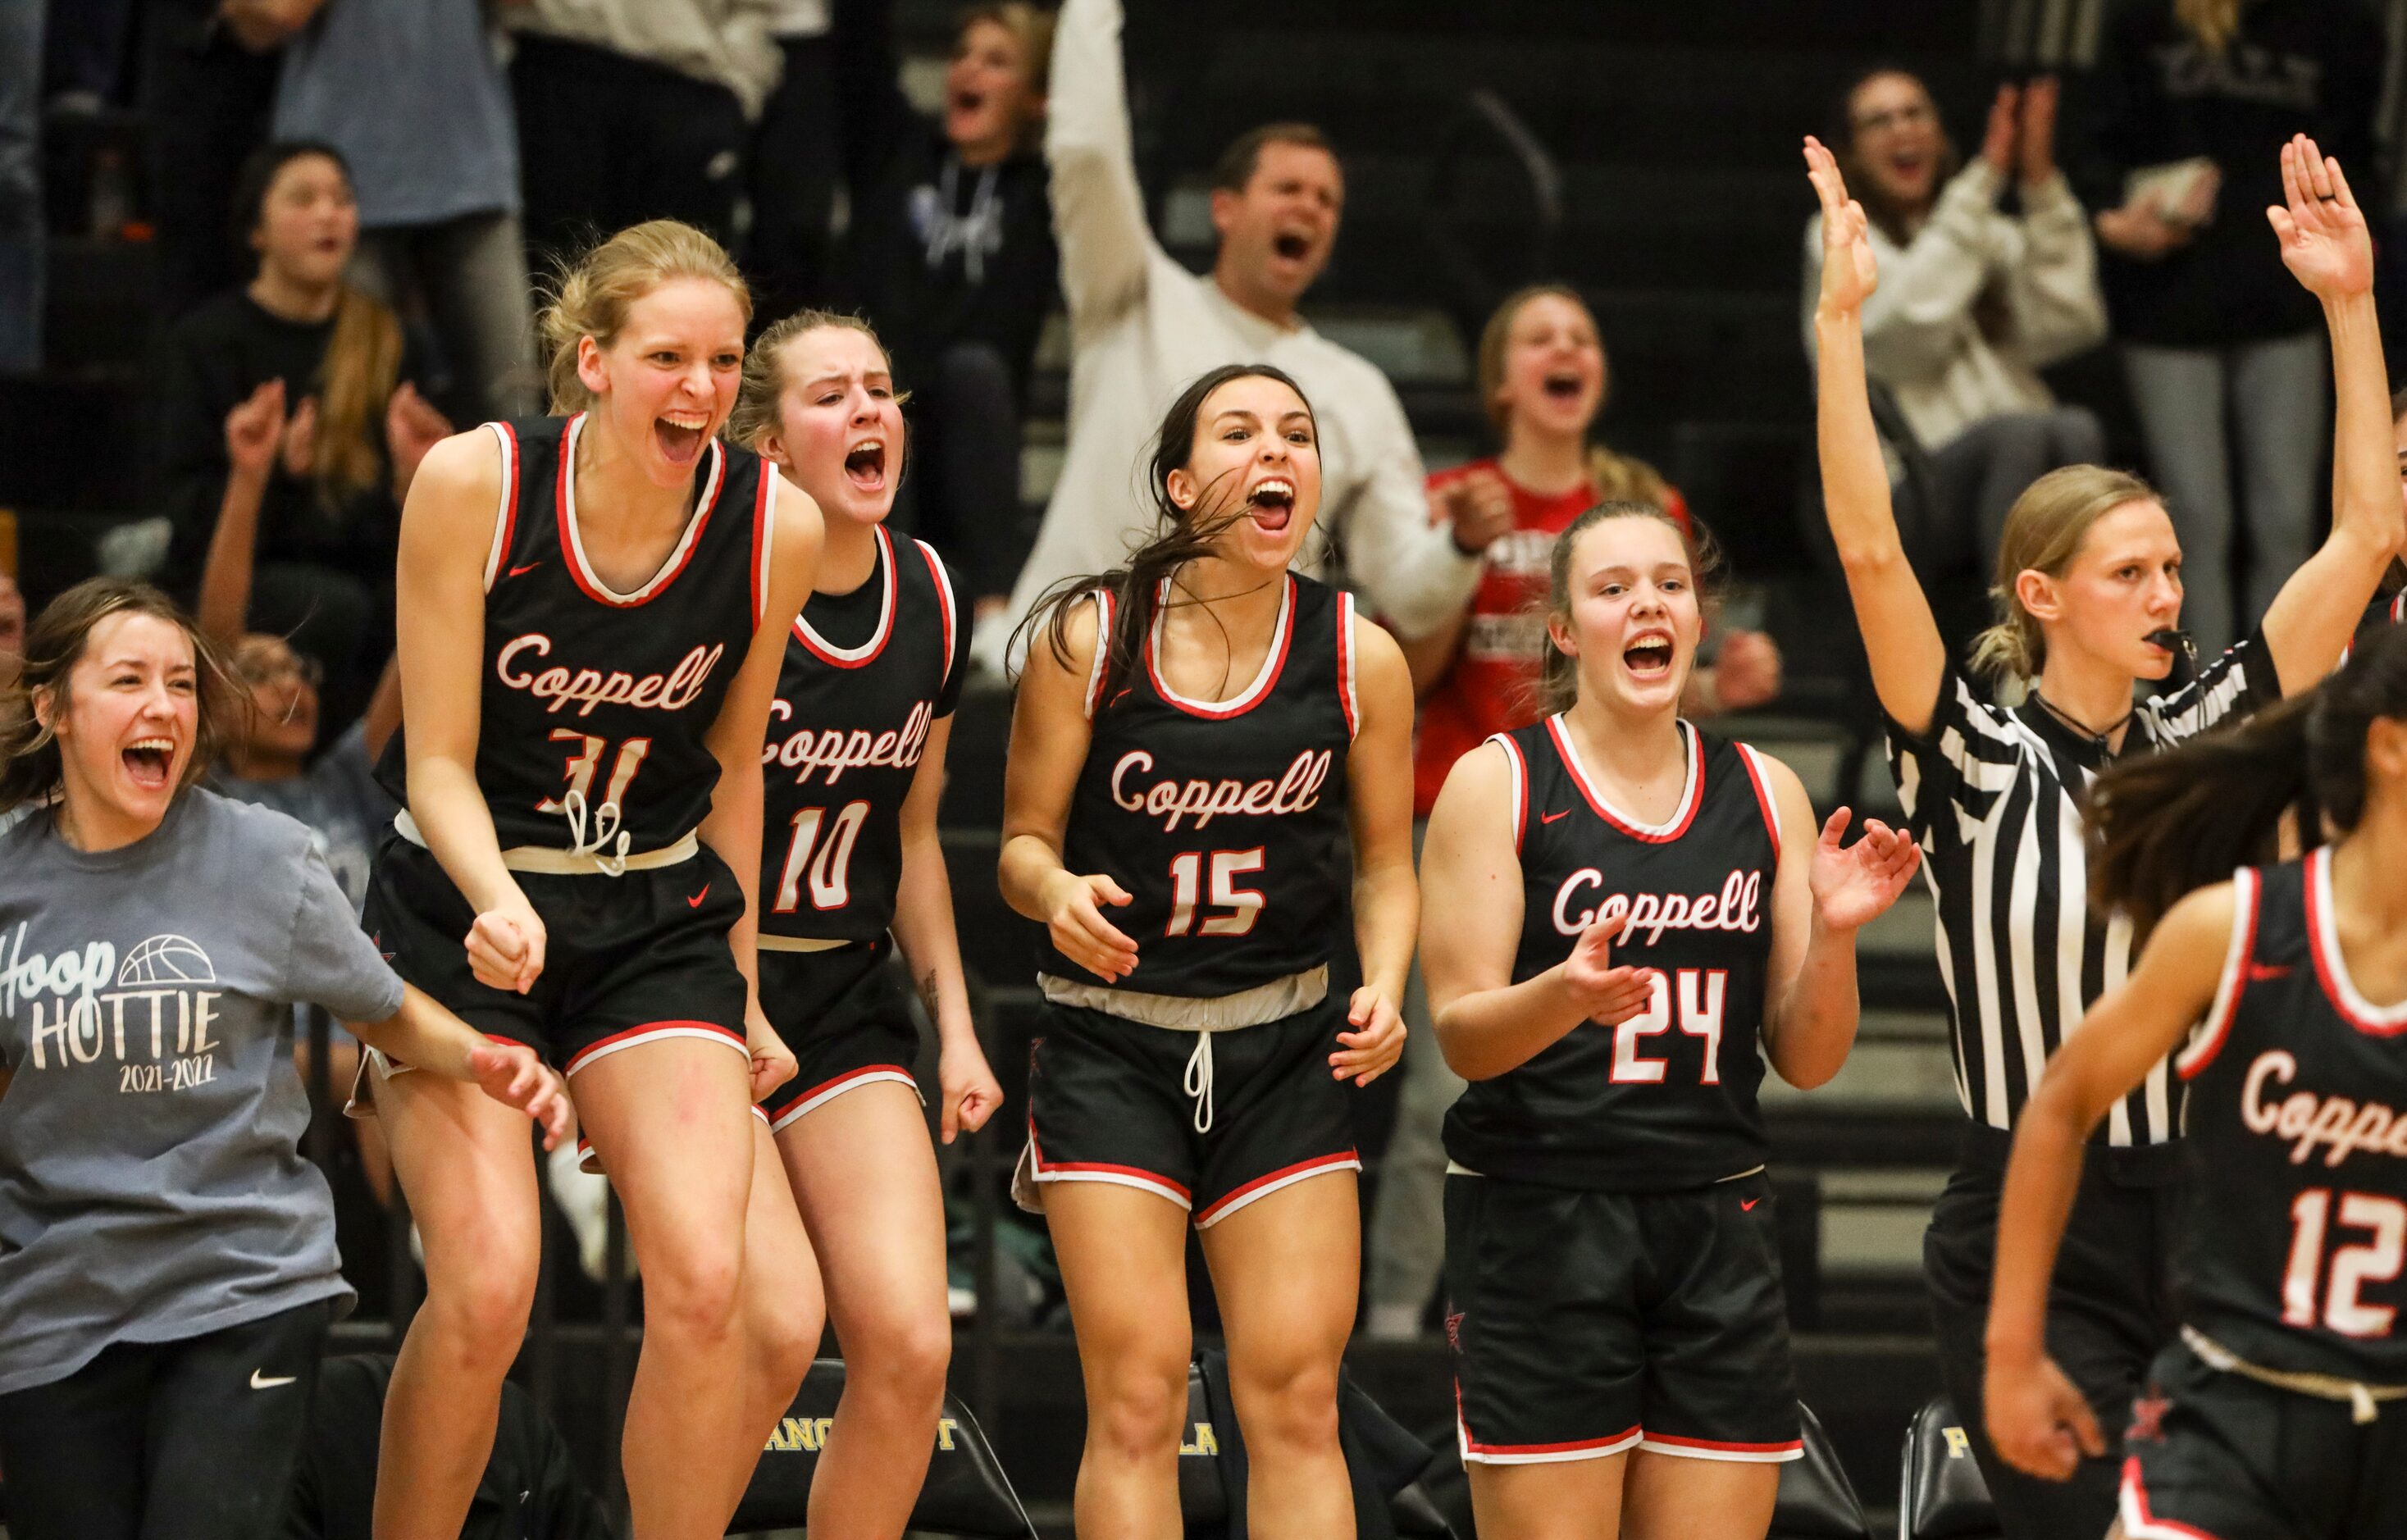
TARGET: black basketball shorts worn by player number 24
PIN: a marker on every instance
(1587, 1325)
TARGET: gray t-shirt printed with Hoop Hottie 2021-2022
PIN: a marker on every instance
(150, 1173)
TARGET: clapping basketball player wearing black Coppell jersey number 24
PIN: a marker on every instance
(1626, 913)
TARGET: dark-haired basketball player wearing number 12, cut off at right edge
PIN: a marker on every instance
(2278, 1414)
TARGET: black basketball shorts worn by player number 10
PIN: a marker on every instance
(846, 1019)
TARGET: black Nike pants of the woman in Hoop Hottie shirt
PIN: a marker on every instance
(189, 1440)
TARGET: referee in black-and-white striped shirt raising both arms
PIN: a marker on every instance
(2090, 591)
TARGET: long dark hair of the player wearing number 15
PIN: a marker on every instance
(1183, 535)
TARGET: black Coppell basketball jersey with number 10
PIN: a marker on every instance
(844, 747)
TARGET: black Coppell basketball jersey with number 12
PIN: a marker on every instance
(2297, 1127)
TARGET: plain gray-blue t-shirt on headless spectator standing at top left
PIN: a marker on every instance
(415, 100)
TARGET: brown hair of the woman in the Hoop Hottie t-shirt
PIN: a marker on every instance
(54, 644)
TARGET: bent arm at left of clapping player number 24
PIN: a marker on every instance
(1469, 932)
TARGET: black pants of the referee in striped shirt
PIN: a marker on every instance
(2110, 1313)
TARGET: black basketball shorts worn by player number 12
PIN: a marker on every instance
(2220, 1457)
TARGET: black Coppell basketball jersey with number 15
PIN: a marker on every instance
(1226, 822)
